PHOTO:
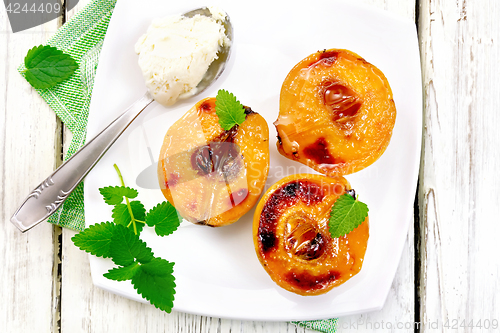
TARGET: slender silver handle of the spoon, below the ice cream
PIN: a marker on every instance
(53, 191)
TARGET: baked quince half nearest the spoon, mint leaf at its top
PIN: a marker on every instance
(210, 175)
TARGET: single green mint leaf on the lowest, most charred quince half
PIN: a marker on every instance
(346, 215)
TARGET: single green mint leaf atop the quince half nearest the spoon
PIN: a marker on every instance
(229, 110)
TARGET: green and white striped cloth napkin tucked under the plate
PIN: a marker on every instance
(82, 38)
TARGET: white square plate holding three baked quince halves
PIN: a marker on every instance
(217, 271)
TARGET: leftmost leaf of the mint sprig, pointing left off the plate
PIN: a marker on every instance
(95, 239)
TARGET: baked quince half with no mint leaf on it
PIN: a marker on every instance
(336, 113)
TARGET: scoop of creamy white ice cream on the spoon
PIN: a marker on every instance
(176, 51)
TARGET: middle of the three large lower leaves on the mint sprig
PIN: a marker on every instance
(126, 247)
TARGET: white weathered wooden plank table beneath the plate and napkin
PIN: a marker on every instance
(450, 267)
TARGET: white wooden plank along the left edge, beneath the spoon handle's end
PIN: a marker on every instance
(28, 147)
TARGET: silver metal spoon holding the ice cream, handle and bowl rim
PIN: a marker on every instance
(53, 191)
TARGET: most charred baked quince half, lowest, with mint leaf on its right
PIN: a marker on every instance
(292, 238)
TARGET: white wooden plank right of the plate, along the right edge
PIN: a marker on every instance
(460, 42)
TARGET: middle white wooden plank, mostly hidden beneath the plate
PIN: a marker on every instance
(86, 308)
